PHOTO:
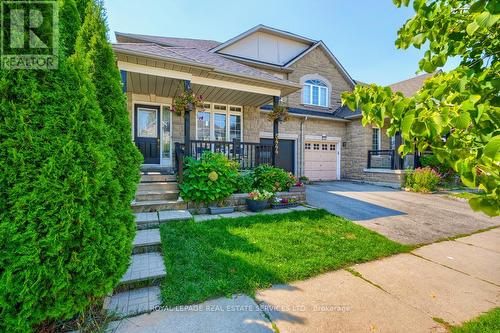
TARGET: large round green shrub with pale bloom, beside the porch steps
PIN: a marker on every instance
(210, 179)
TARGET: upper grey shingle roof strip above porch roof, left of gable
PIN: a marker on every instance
(201, 44)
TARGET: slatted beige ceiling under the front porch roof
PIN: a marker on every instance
(139, 83)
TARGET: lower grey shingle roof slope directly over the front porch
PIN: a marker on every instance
(197, 56)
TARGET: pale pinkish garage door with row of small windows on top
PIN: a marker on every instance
(320, 160)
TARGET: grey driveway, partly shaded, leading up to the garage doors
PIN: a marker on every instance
(409, 218)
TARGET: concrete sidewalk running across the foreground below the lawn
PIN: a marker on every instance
(452, 281)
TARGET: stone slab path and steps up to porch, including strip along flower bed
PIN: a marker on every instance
(138, 291)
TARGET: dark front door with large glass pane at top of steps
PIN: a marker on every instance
(147, 132)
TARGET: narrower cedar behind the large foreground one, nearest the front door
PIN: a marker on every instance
(92, 43)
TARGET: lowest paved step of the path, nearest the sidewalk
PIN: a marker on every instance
(134, 302)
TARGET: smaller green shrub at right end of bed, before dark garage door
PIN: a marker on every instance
(272, 179)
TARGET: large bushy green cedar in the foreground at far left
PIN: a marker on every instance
(63, 242)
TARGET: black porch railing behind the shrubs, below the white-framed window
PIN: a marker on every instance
(247, 154)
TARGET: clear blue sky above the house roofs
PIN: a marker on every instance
(360, 33)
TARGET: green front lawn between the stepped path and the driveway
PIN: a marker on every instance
(226, 256)
